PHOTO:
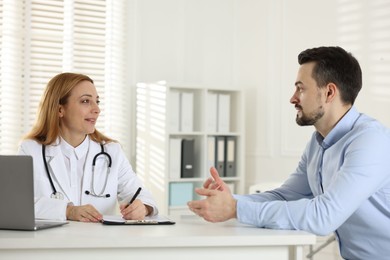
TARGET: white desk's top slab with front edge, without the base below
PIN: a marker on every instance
(189, 231)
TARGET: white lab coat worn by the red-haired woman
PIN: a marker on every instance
(121, 185)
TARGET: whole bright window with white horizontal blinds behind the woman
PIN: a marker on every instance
(39, 39)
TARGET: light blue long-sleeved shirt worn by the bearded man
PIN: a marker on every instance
(341, 185)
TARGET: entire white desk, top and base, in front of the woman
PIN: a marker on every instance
(190, 238)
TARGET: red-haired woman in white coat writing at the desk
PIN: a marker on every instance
(65, 145)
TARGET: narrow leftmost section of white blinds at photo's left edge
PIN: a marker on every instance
(11, 62)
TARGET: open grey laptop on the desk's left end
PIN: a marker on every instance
(17, 195)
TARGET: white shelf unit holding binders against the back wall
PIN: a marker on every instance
(156, 124)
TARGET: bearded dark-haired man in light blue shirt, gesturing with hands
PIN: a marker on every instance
(341, 183)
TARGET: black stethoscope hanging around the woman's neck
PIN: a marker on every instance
(58, 195)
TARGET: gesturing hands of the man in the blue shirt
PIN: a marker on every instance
(219, 204)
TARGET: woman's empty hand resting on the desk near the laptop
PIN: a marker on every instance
(84, 213)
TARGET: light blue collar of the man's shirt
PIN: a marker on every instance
(345, 125)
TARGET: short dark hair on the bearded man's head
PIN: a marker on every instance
(335, 65)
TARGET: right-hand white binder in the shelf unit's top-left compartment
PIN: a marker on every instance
(187, 112)
